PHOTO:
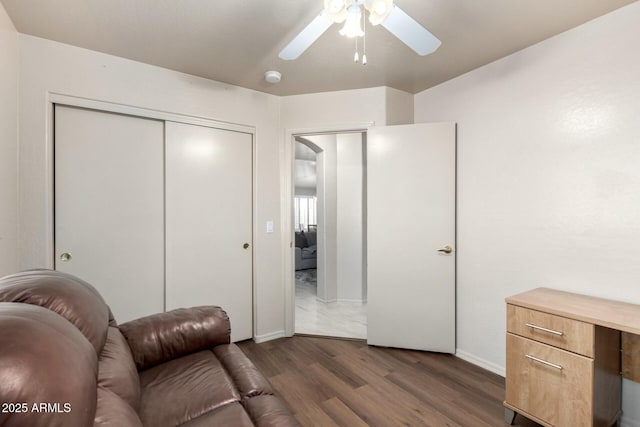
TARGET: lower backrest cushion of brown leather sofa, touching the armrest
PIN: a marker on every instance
(116, 370)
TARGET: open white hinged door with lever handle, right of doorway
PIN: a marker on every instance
(411, 217)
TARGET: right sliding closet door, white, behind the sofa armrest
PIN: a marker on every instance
(209, 222)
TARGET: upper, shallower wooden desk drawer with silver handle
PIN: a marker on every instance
(568, 334)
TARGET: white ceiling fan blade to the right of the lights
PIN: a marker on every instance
(410, 32)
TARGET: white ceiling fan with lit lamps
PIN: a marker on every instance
(351, 13)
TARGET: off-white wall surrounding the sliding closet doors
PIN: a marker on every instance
(54, 67)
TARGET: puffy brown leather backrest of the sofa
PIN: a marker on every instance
(68, 349)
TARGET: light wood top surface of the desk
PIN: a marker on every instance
(599, 311)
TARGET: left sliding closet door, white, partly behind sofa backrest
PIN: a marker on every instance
(109, 206)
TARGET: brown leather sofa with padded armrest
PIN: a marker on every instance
(65, 362)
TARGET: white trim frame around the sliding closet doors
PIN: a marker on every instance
(54, 98)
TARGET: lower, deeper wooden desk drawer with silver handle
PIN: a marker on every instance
(551, 385)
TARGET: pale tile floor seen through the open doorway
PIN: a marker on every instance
(337, 319)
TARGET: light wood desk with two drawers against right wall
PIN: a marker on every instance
(563, 357)
